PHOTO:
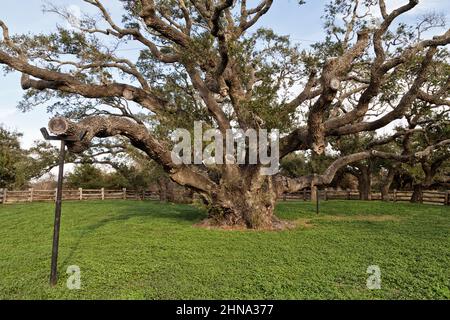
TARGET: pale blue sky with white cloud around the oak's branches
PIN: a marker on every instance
(302, 23)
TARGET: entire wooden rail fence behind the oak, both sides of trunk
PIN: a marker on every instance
(32, 195)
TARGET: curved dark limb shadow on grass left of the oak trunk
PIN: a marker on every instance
(184, 214)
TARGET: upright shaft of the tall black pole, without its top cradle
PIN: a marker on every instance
(54, 266)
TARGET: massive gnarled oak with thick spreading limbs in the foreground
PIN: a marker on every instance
(202, 60)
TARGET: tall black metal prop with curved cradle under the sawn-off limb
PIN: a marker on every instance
(57, 221)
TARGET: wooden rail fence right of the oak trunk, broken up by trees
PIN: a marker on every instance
(429, 197)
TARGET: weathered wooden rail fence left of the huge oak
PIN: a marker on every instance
(31, 195)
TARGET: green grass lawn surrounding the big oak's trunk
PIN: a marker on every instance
(151, 250)
